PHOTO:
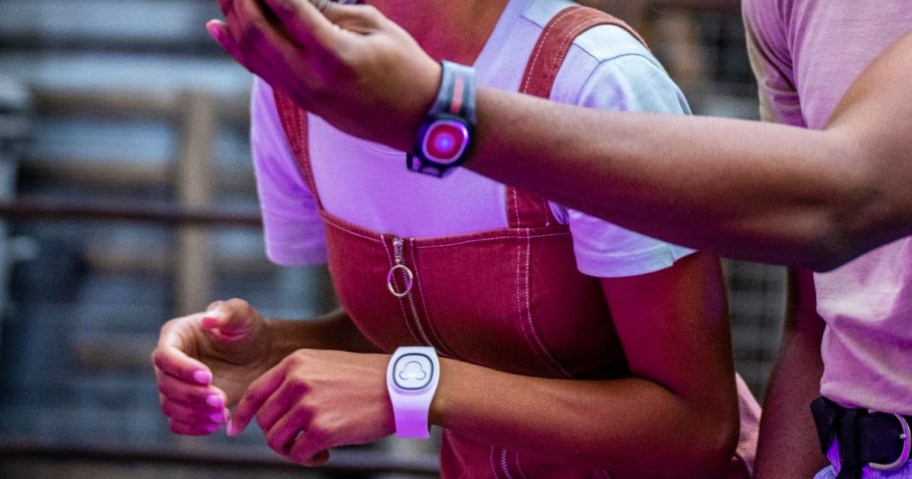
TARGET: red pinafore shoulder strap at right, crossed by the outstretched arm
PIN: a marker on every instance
(525, 209)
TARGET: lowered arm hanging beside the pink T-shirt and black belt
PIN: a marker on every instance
(788, 446)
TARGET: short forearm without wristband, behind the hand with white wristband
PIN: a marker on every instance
(334, 330)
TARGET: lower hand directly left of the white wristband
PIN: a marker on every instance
(317, 399)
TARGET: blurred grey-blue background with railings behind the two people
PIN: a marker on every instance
(127, 198)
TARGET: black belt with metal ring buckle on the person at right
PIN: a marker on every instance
(882, 441)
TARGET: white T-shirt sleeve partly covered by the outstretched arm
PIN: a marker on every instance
(630, 81)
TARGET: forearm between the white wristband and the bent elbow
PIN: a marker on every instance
(628, 425)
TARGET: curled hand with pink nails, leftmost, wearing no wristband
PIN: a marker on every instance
(204, 362)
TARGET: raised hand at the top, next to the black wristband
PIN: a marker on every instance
(346, 63)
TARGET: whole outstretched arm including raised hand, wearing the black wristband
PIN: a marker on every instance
(742, 189)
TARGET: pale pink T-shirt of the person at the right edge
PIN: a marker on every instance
(806, 54)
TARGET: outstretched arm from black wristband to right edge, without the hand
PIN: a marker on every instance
(743, 189)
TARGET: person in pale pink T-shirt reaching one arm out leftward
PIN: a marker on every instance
(830, 190)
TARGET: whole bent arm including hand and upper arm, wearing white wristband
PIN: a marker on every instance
(675, 415)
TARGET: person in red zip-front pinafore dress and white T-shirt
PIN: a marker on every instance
(624, 371)
